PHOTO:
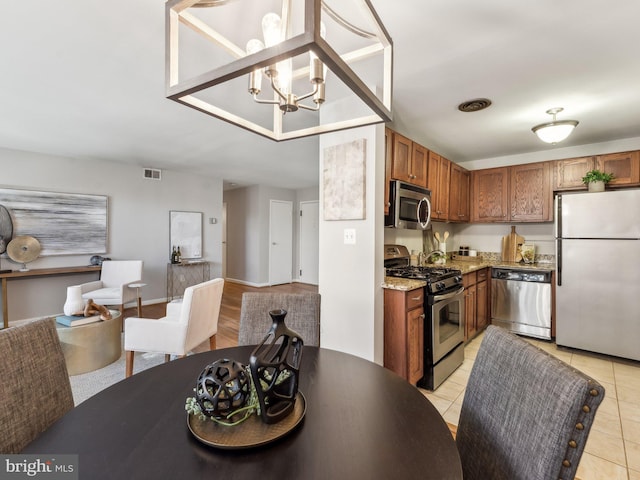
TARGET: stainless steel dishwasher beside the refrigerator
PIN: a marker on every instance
(521, 301)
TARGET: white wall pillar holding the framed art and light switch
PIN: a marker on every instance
(351, 276)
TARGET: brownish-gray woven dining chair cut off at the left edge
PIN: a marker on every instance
(35, 390)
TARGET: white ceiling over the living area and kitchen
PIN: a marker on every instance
(85, 79)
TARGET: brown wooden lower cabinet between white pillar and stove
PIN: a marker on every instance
(404, 333)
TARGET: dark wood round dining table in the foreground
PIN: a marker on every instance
(362, 421)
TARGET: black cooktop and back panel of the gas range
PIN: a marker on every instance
(439, 279)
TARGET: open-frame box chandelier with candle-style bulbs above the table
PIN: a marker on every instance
(312, 66)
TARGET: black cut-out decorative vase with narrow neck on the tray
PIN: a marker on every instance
(275, 367)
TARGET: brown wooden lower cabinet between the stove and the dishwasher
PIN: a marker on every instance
(476, 302)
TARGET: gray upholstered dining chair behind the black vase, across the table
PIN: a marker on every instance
(303, 315)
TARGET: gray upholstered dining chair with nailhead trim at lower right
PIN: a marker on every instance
(525, 414)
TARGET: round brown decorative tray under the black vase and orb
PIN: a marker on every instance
(252, 432)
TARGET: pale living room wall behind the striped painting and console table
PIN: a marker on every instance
(138, 221)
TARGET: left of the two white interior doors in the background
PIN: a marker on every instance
(280, 242)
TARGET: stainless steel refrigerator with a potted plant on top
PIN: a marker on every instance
(598, 272)
